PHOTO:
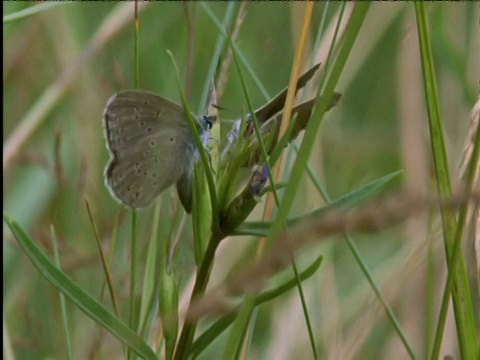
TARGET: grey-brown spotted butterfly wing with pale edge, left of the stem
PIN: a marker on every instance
(150, 145)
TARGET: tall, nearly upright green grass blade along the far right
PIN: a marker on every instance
(460, 291)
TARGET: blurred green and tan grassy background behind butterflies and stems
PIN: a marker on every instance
(60, 67)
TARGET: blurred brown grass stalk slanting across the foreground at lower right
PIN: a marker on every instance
(371, 218)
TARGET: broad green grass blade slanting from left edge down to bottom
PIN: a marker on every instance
(84, 301)
